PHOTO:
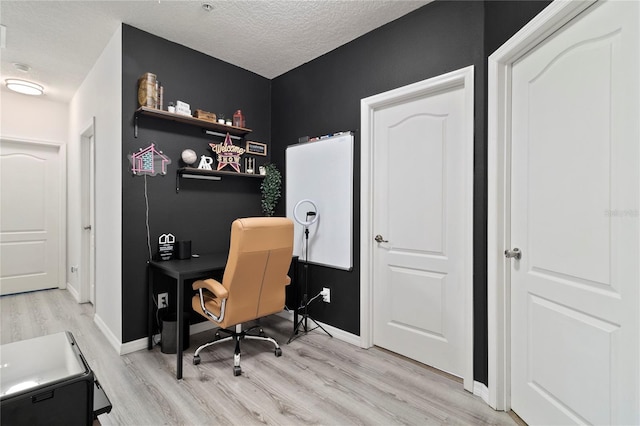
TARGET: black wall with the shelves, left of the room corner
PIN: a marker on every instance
(203, 210)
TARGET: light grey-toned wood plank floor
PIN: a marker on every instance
(318, 380)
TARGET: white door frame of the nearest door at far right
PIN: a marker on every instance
(552, 18)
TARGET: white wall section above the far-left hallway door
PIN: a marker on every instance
(33, 118)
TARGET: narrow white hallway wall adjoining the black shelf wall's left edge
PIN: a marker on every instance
(100, 96)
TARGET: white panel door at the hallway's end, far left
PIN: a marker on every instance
(29, 217)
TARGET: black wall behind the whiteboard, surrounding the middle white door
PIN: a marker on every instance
(324, 96)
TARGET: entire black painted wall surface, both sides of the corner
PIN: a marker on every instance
(316, 98)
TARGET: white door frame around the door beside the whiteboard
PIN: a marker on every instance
(459, 78)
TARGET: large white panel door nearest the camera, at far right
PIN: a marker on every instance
(574, 215)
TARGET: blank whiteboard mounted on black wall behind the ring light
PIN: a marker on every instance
(322, 171)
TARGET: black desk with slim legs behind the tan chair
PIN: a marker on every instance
(196, 267)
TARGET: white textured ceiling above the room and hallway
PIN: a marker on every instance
(61, 40)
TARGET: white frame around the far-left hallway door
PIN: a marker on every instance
(62, 218)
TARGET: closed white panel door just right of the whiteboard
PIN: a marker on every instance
(422, 209)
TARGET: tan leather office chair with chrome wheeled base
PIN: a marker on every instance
(253, 284)
